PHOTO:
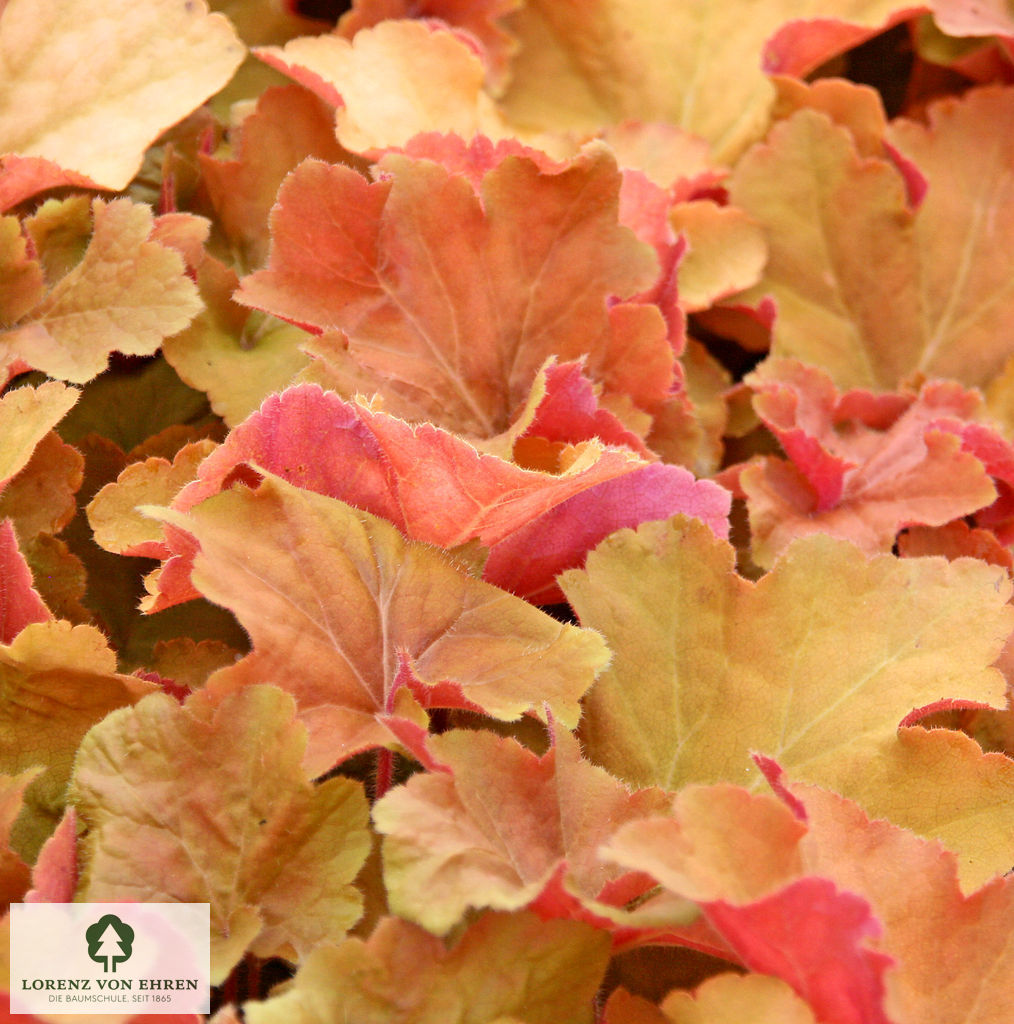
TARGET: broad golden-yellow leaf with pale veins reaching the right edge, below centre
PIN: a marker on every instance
(695, 646)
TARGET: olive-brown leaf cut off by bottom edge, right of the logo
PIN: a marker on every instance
(546, 973)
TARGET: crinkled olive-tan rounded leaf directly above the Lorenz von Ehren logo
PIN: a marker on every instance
(274, 856)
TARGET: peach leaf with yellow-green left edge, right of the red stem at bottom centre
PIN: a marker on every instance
(496, 823)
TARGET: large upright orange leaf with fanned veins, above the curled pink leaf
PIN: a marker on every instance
(462, 320)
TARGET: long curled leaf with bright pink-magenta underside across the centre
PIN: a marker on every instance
(437, 488)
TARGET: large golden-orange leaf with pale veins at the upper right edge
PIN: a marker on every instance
(867, 288)
